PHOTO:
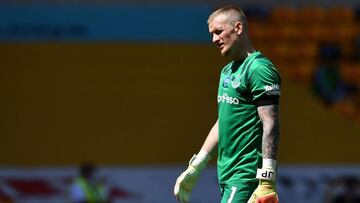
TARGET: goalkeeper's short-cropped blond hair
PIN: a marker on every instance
(235, 14)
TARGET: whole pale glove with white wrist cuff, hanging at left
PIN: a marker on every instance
(188, 179)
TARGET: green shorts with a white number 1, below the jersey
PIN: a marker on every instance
(237, 192)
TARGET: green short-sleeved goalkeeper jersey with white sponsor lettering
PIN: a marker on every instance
(244, 85)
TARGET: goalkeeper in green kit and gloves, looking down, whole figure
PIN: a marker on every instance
(246, 133)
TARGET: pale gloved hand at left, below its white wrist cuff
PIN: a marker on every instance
(185, 183)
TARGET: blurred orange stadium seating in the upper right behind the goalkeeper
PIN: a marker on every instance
(301, 31)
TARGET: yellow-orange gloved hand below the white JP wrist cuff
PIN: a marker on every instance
(264, 193)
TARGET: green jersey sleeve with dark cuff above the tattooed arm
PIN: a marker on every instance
(265, 84)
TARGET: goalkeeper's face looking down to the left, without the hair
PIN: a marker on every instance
(223, 34)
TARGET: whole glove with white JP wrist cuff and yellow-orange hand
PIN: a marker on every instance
(266, 191)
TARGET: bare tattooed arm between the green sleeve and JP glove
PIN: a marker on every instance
(269, 116)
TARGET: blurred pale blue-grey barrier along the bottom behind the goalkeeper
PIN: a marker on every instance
(296, 184)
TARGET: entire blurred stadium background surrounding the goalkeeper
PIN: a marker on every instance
(131, 85)
